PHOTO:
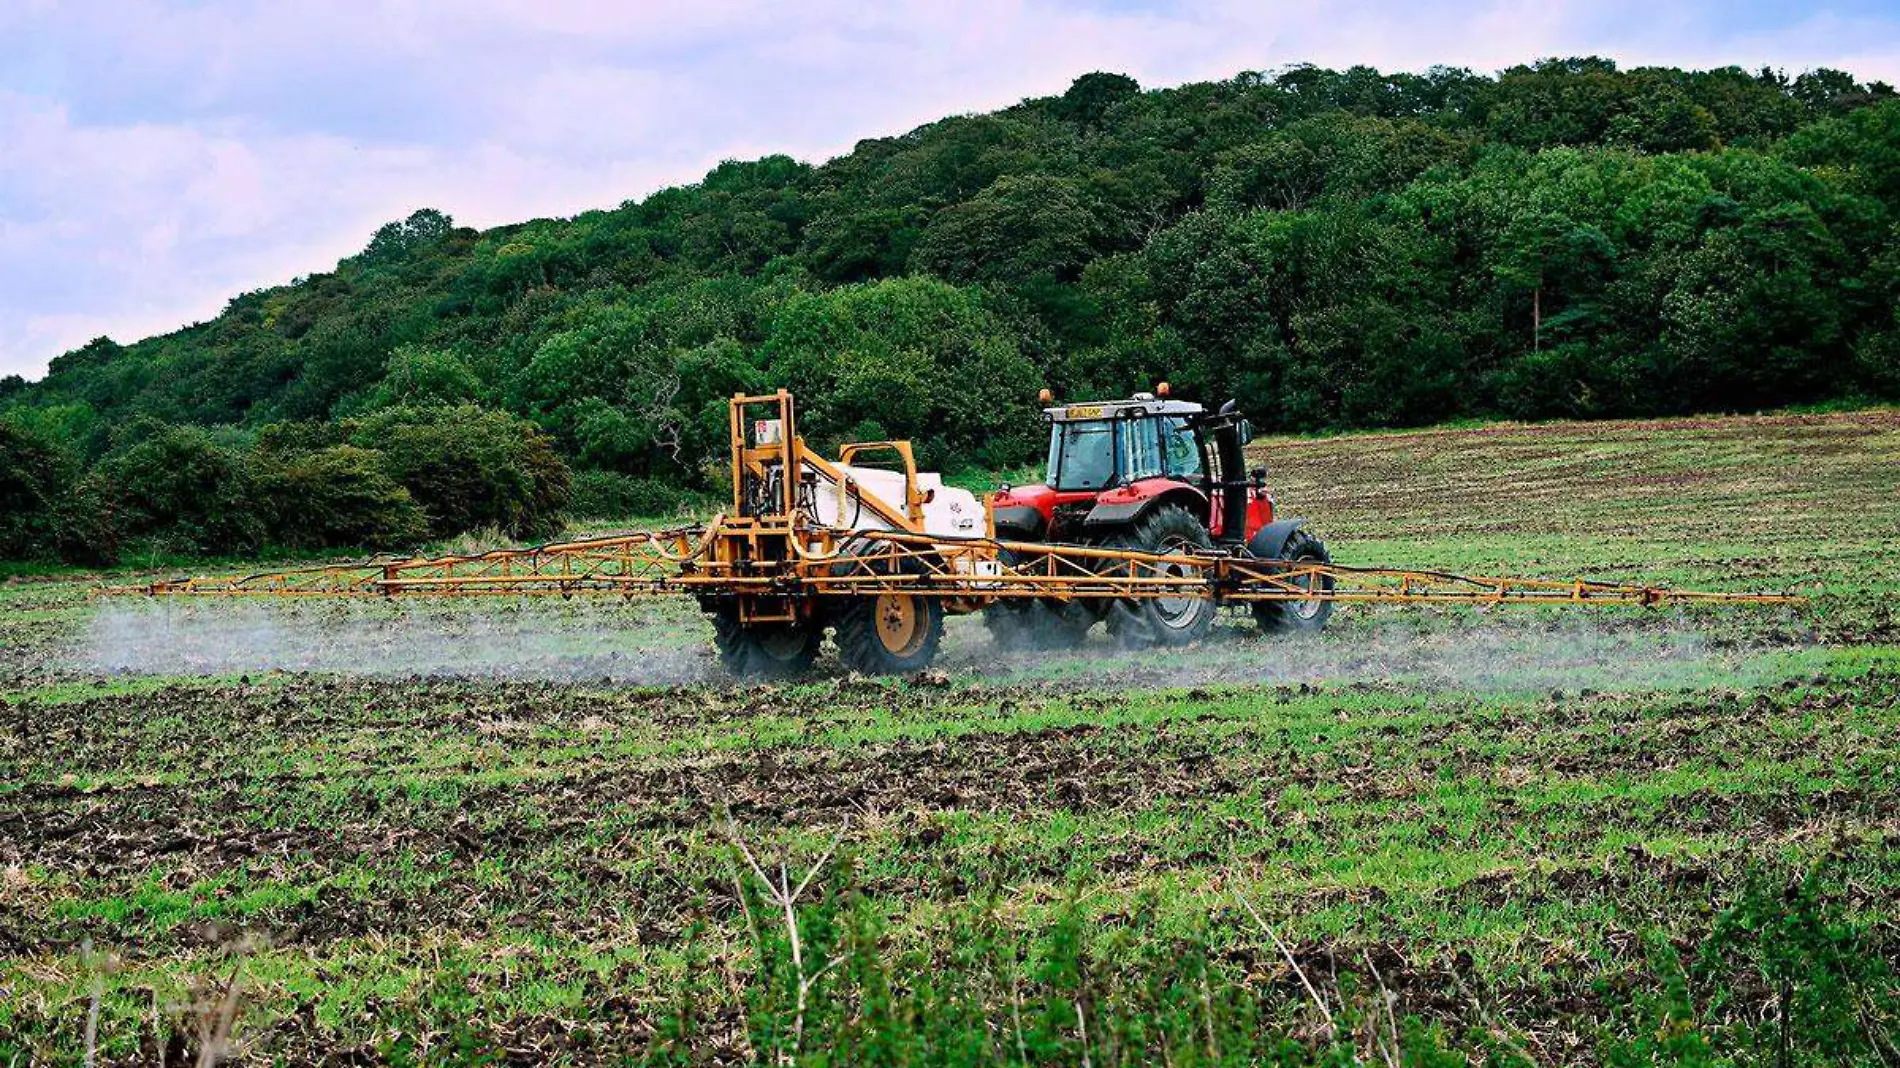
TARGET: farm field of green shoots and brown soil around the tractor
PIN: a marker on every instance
(527, 831)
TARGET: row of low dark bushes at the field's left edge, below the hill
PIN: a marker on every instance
(381, 482)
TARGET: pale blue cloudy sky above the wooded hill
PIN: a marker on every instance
(161, 157)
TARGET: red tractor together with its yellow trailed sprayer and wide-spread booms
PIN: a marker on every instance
(1147, 522)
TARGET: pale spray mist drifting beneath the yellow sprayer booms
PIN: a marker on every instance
(668, 645)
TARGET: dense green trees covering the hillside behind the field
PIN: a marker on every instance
(1337, 250)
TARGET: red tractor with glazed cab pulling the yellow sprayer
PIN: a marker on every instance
(1156, 476)
